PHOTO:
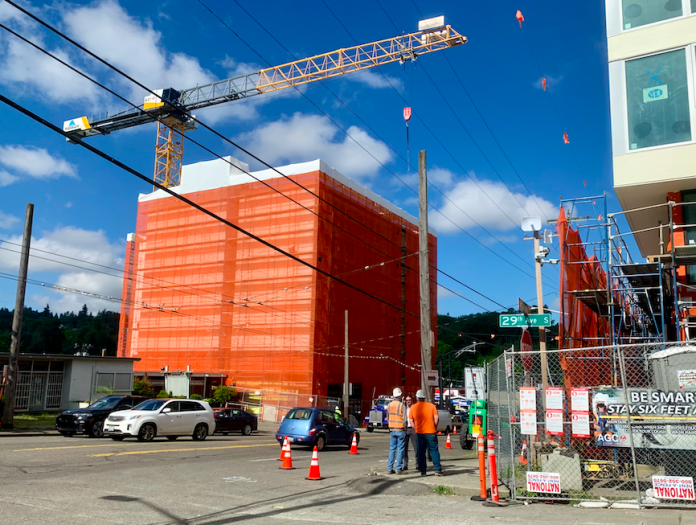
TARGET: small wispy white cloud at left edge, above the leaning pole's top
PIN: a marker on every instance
(35, 162)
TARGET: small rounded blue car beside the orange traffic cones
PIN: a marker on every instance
(316, 427)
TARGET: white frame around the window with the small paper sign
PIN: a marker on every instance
(690, 57)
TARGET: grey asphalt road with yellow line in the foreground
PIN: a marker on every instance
(57, 480)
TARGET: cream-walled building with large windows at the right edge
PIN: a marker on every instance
(652, 77)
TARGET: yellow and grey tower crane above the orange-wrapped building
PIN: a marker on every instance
(172, 108)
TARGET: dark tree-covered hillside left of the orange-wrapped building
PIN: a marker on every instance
(49, 333)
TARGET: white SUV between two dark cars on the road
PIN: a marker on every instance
(162, 417)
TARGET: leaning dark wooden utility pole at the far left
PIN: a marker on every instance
(11, 381)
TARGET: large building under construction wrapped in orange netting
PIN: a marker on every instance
(205, 300)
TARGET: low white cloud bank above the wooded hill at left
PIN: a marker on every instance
(87, 246)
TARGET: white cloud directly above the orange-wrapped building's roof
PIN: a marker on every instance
(305, 137)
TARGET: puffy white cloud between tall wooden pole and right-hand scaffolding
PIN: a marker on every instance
(491, 204)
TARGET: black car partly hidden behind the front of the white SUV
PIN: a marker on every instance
(90, 420)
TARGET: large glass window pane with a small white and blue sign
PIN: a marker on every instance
(658, 100)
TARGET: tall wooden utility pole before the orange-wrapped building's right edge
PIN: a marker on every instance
(424, 270)
